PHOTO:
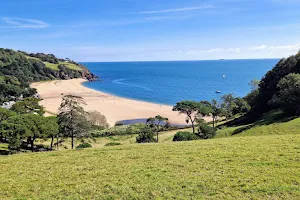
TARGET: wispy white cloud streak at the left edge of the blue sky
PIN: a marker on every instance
(11, 22)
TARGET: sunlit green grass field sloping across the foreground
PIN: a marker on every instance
(265, 167)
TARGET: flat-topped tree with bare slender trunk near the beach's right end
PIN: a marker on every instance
(189, 108)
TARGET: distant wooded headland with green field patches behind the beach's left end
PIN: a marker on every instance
(18, 69)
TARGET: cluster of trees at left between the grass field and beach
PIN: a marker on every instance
(24, 123)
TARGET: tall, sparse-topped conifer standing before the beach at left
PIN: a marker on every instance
(72, 118)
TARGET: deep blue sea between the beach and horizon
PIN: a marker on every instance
(171, 82)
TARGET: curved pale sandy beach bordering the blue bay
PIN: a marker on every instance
(113, 107)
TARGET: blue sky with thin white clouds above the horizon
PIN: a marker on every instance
(139, 30)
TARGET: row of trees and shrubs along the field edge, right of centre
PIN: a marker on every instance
(227, 108)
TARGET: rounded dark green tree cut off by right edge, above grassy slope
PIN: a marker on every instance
(288, 96)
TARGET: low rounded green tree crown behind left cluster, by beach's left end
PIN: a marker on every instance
(27, 106)
